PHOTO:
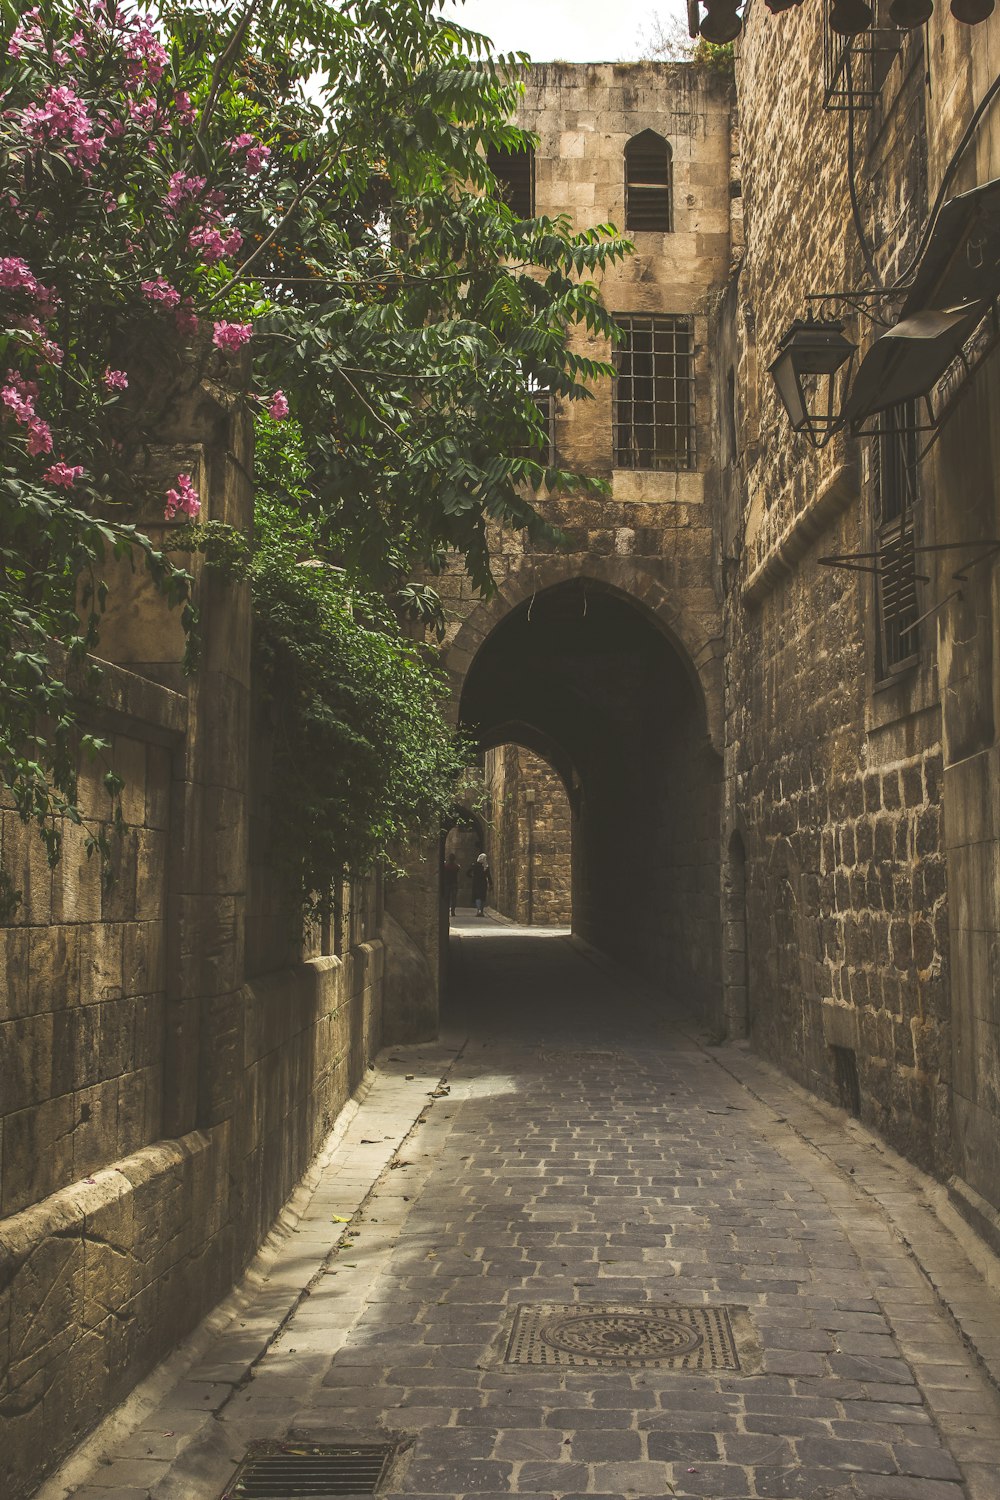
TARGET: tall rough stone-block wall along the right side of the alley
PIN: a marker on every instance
(869, 899)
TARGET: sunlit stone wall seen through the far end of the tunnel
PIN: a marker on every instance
(530, 839)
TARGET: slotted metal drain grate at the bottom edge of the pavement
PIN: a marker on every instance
(320, 1472)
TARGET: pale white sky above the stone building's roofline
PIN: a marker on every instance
(573, 31)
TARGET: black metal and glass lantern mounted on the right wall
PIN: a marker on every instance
(810, 356)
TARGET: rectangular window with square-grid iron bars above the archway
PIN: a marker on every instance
(654, 394)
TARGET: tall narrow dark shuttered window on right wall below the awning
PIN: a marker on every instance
(894, 463)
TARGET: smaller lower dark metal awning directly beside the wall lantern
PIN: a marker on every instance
(909, 361)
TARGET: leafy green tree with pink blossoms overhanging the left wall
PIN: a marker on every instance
(299, 184)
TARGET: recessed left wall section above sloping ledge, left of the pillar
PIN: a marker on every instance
(83, 976)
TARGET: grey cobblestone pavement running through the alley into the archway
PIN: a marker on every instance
(587, 1148)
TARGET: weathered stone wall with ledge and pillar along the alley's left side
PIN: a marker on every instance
(161, 1091)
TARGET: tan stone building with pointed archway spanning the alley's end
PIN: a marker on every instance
(605, 656)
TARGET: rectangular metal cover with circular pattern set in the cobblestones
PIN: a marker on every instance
(672, 1337)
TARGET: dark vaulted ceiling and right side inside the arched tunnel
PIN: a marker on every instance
(585, 676)
